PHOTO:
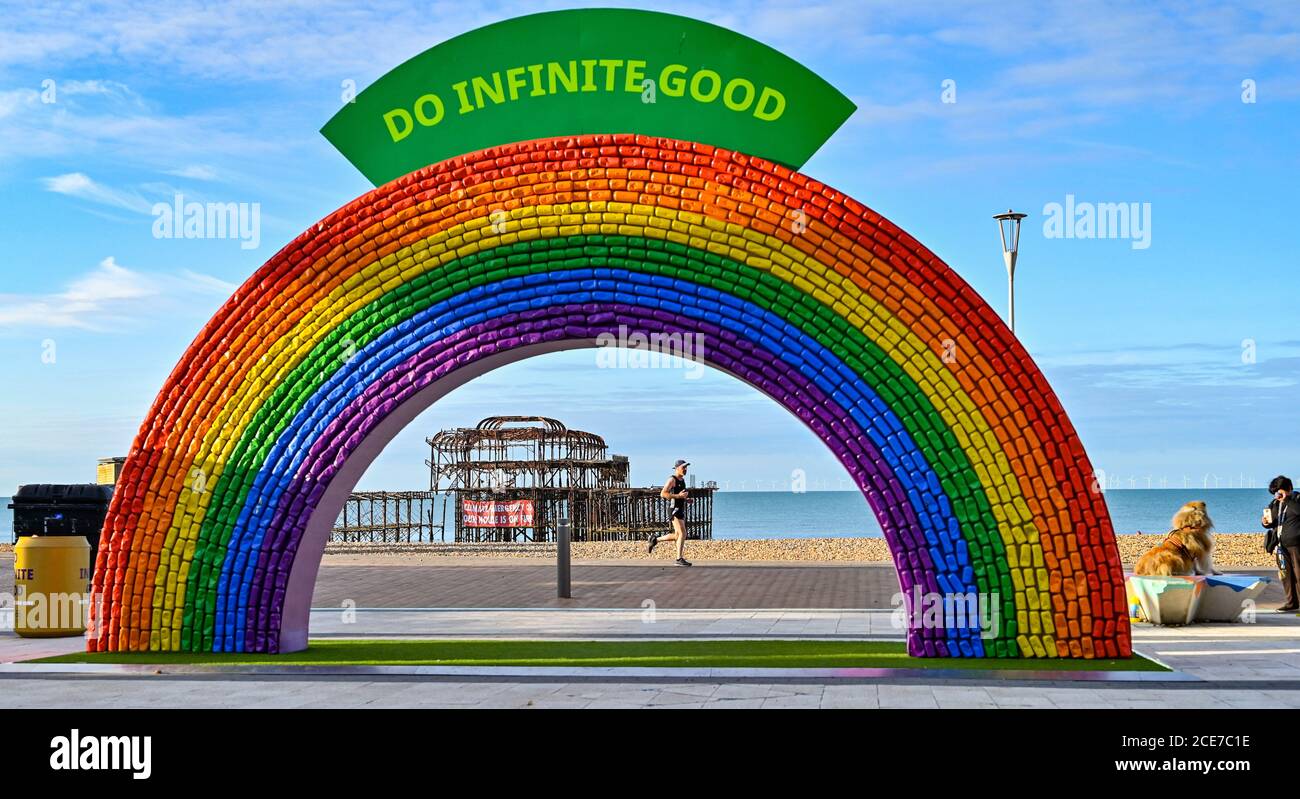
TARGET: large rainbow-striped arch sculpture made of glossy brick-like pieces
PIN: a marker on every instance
(226, 503)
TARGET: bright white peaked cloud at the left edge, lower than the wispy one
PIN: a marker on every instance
(106, 298)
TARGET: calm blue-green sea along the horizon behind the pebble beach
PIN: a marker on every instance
(846, 514)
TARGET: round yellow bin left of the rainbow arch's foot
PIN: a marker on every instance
(51, 585)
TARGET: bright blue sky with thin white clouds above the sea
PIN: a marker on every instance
(1102, 102)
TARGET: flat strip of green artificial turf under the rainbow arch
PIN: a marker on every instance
(657, 654)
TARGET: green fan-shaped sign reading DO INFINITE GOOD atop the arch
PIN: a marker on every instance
(584, 72)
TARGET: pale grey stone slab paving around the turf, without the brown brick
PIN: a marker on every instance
(1236, 666)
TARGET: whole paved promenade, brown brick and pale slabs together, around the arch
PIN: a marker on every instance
(1223, 666)
